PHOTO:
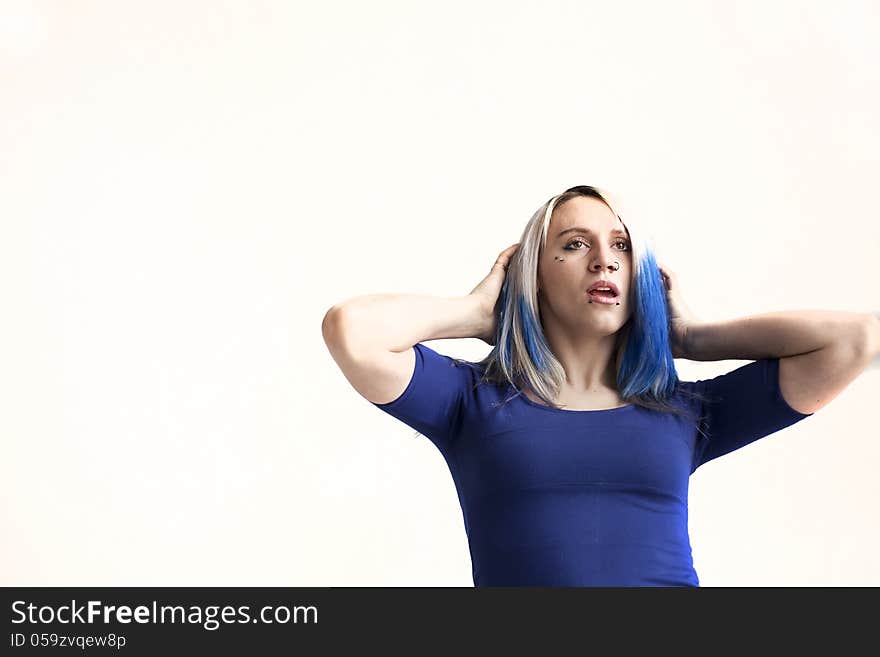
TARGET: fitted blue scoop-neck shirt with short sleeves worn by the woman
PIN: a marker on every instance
(554, 497)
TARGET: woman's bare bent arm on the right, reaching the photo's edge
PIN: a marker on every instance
(820, 352)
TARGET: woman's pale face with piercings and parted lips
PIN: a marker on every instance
(583, 247)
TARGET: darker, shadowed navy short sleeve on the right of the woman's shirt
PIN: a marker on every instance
(740, 407)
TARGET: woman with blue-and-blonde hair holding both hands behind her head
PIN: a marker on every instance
(571, 444)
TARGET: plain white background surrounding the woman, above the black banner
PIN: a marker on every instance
(187, 187)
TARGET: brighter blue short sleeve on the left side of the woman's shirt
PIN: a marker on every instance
(433, 402)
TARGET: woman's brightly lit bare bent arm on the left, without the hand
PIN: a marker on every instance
(371, 337)
